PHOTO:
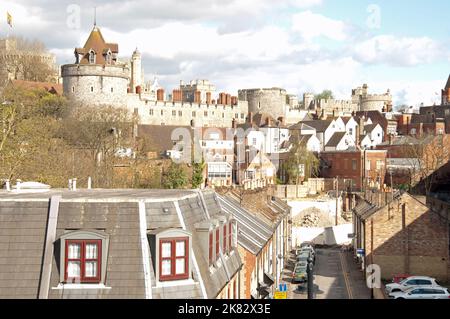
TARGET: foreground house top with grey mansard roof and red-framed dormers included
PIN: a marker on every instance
(117, 244)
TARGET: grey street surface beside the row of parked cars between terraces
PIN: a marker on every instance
(336, 276)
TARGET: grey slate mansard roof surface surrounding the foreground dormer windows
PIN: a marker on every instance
(23, 222)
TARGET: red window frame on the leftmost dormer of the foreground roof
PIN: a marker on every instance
(82, 260)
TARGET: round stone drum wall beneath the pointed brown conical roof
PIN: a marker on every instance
(96, 84)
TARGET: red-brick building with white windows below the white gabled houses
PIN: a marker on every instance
(363, 167)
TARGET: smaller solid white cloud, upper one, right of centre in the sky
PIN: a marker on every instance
(311, 25)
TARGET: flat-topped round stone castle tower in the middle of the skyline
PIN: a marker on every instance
(271, 101)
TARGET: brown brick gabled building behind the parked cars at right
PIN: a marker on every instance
(402, 236)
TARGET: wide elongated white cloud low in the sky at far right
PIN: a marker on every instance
(398, 51)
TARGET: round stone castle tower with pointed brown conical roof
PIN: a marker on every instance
(96, 77)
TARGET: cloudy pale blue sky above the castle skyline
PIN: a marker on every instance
(300, 45)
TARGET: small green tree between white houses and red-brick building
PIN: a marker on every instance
(301, 163)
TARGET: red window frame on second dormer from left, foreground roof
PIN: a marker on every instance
(173, 258)
